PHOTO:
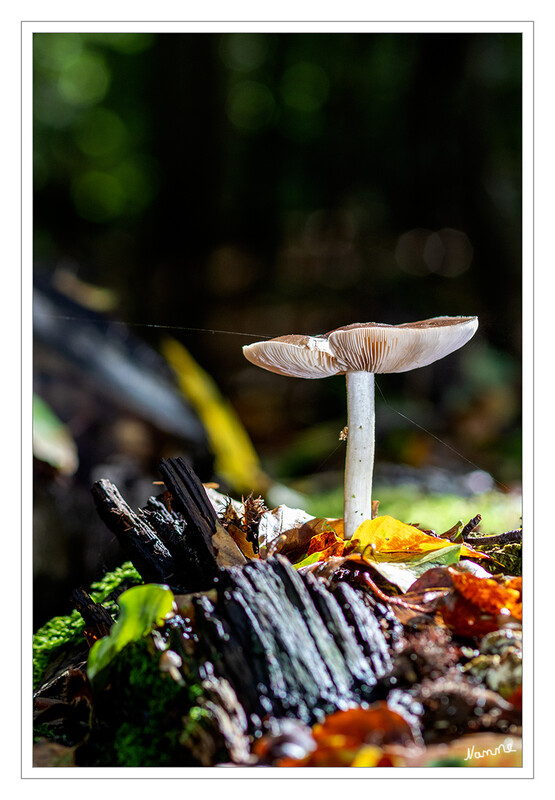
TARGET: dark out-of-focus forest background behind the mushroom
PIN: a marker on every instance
(265, 184)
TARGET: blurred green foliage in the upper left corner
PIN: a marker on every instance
(95, 149)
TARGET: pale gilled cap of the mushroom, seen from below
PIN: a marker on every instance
(363, 346)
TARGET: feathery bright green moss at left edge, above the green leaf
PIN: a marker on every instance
(65, 631)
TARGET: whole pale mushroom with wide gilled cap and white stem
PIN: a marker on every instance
(359, 351)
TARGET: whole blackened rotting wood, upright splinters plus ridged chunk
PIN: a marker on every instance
(287, 644)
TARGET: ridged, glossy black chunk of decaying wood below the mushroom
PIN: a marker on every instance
(288, 646)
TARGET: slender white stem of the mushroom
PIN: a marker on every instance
(359, 463)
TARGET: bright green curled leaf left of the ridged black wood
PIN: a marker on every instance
(142, 608)
